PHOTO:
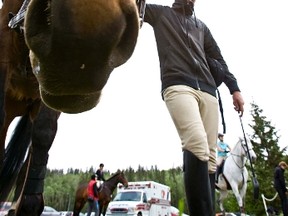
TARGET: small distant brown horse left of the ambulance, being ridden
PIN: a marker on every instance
(105, 192)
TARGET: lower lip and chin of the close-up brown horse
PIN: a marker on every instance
(71, 104)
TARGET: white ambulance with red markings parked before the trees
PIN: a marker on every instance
(143, 198)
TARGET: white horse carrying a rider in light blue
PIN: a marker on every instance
(235, 175)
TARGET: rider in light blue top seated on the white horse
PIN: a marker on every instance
(221, 154)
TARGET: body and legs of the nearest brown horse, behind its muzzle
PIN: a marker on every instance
(35, 130)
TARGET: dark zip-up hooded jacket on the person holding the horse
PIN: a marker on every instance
(183, 42)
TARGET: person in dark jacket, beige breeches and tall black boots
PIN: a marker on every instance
(184, 44)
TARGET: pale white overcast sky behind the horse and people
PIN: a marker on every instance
(131, 125)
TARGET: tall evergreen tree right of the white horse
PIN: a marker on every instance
(265, 143)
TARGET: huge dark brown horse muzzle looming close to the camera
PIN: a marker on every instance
(75, 45)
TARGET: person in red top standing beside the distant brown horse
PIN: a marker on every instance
(93, 204)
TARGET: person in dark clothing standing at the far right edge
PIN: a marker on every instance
(280, 185)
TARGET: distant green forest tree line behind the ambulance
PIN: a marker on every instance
(60, 188)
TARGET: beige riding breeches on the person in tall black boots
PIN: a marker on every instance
(195, 115)
